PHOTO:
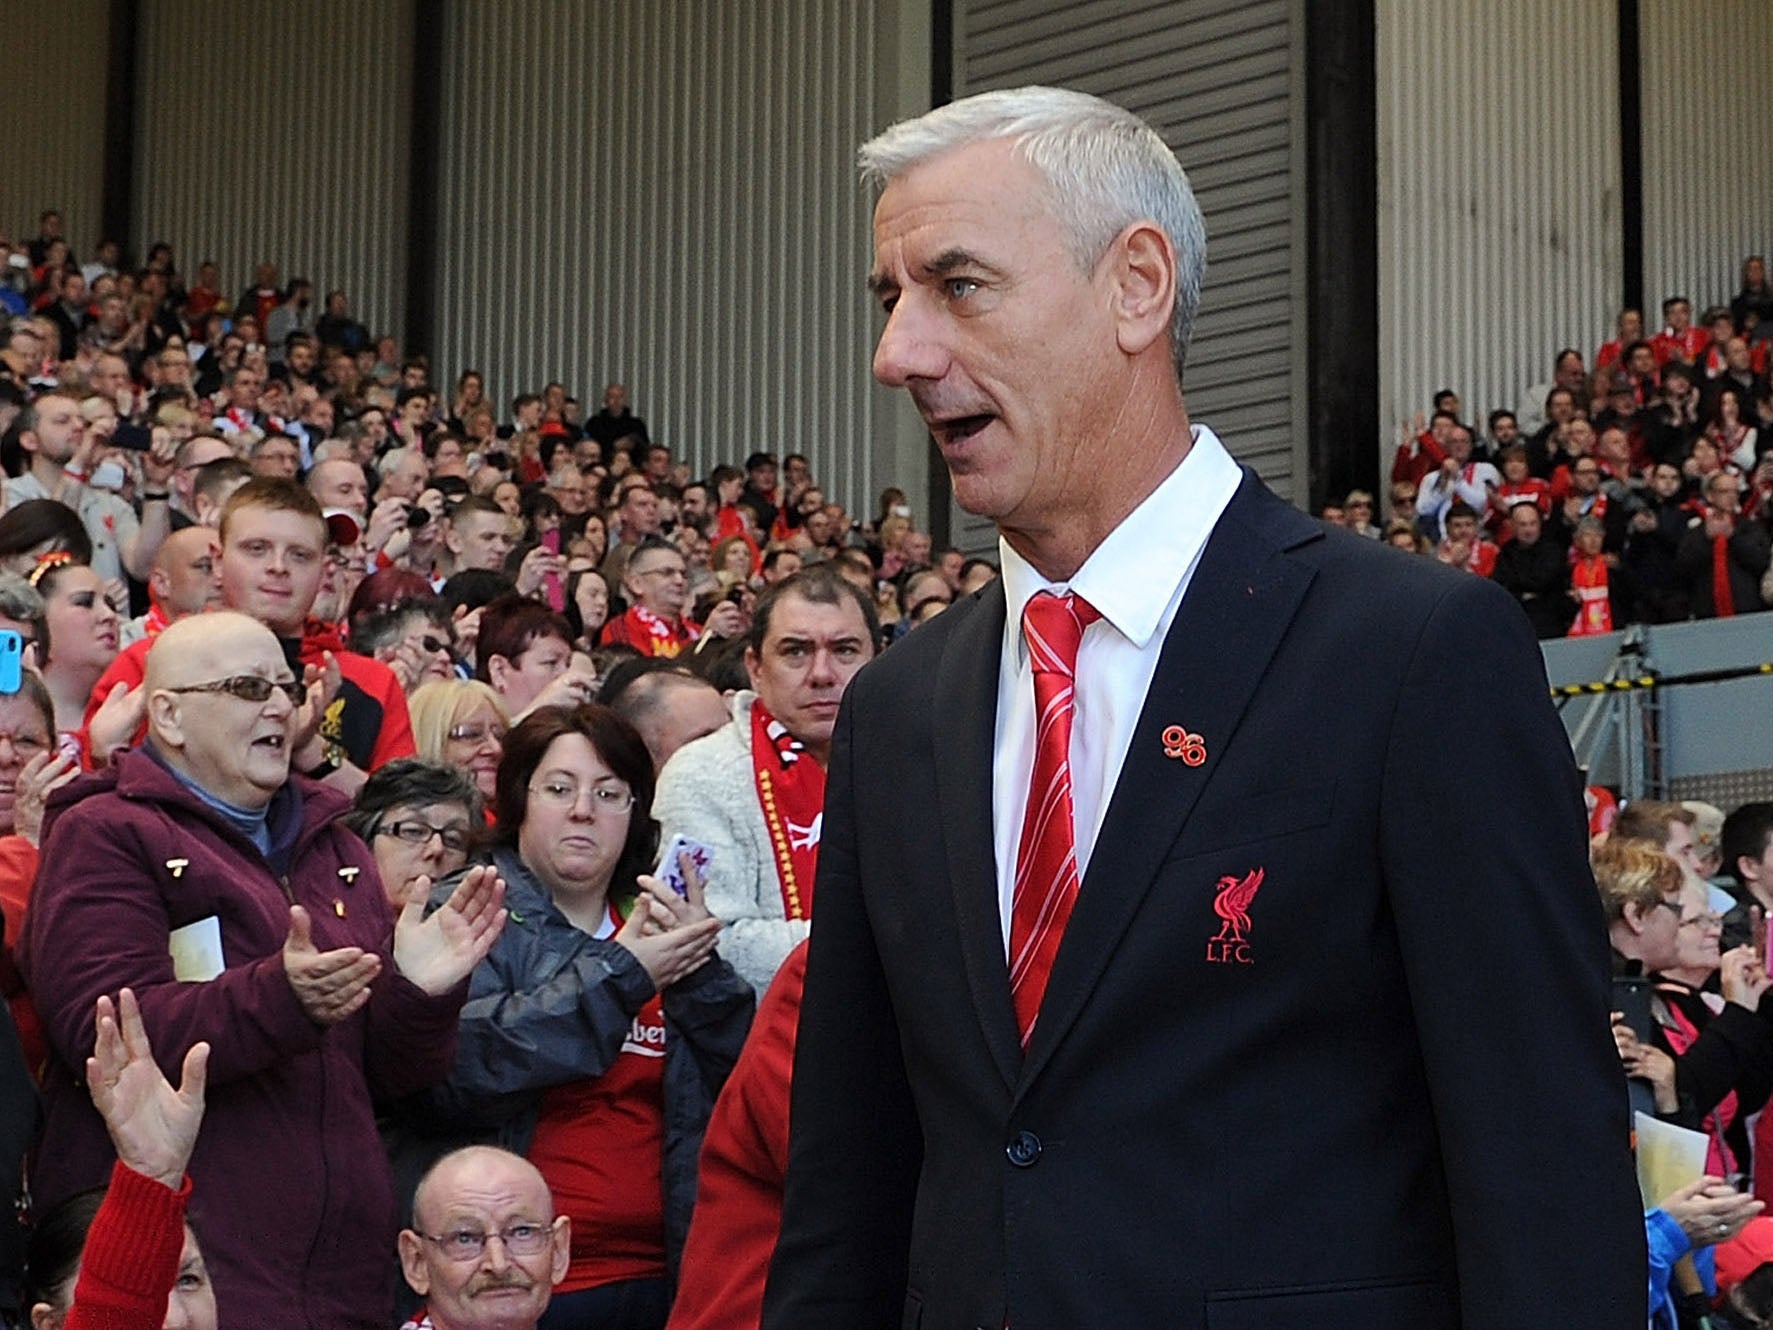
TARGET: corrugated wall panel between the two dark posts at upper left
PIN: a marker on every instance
(267, 132)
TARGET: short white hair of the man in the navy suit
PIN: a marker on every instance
(1104, 168)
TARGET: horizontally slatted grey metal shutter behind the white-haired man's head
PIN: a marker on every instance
(1222, 81)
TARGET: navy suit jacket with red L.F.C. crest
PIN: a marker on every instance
(1382, 1097)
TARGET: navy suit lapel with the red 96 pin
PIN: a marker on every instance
(1238, 606)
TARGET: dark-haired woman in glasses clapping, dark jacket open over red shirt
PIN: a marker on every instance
(604, 1024)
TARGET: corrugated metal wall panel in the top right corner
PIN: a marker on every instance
(1708, 148)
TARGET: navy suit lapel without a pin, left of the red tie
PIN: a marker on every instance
(964, 723)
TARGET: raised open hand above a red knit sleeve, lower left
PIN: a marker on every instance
(152, 1125)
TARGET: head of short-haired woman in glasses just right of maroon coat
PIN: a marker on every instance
(419, 820)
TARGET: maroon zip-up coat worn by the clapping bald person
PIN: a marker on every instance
(293, 1198)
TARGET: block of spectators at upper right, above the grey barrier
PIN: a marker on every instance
(1634, 487)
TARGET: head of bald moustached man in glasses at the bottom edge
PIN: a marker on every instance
(487, 1248)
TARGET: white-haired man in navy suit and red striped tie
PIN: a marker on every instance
(1148, 985)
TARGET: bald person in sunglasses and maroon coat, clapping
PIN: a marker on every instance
(228, 895)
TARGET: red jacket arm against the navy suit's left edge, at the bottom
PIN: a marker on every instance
(738, 1201)
